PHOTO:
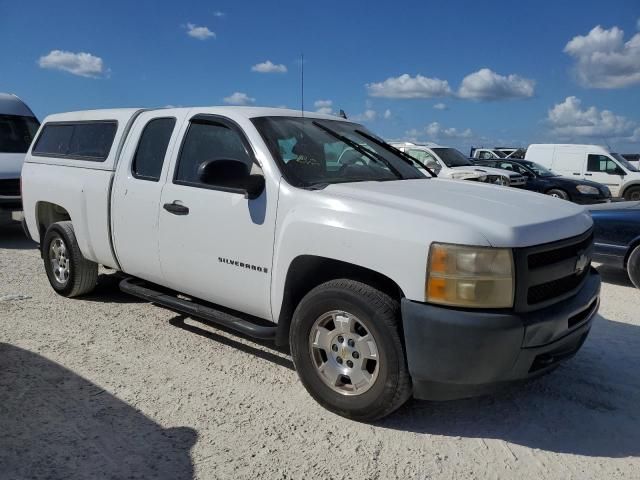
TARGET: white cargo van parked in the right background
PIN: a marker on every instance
(589, 162)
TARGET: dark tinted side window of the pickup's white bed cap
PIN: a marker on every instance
(79, 140)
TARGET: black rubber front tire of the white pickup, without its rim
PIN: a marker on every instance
(380, 314)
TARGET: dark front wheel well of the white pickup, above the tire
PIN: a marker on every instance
(307, 272)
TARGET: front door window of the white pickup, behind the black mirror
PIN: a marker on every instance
(206, 141)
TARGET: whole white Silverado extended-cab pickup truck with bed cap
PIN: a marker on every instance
(384, 282)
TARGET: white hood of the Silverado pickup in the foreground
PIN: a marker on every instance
(505, 217)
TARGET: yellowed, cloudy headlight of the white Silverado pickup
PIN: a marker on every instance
(474, 277)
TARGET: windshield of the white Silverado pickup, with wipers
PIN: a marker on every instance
(313, 152)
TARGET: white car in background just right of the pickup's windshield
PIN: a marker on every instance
(448, 162)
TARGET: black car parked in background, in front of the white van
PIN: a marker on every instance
(539, 179)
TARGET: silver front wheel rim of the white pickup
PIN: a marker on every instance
(344, 353)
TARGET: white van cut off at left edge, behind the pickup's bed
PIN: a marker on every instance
(18, 125)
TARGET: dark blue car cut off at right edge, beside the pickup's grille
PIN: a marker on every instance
(617, 236)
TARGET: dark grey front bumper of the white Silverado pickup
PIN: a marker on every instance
(455, 353)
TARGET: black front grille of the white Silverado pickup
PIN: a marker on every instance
(552, 272)
